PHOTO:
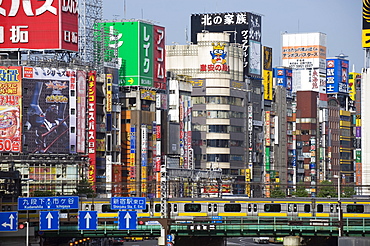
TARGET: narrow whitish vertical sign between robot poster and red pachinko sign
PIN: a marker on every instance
(81, 111)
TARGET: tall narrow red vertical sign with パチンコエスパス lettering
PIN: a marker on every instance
(91, 109)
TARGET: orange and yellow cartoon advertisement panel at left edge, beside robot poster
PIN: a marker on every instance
(10, 109)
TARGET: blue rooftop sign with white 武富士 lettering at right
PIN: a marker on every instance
(336, 76)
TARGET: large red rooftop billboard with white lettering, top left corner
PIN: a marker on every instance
(34, 24)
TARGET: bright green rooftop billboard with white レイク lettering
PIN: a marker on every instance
(134, 42)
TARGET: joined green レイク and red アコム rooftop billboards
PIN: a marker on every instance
(140, 51)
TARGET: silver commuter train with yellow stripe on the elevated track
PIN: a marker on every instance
(224, 208)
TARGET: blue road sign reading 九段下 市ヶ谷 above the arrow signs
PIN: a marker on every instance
(40, 203)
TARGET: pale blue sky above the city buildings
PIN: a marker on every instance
(340, 20)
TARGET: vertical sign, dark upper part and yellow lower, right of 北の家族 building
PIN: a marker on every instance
(267, 72)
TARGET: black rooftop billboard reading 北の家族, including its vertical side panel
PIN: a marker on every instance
(244, 28)
